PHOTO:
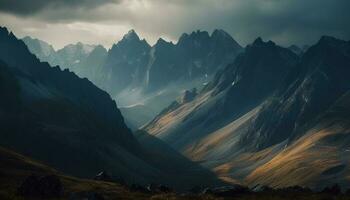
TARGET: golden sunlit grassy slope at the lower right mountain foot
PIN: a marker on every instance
(299, 164)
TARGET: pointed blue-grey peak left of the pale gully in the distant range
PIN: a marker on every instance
(126, 64)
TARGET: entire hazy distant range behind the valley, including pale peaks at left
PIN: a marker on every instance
(135, 73)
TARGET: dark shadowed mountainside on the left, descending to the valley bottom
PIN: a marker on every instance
(68, 123)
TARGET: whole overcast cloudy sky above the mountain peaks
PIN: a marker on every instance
(286, 22)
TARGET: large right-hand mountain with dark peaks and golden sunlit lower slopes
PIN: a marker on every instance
(272, 117)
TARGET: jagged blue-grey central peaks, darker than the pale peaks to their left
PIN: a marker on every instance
(132, 62)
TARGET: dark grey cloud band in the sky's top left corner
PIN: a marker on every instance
(29, 7)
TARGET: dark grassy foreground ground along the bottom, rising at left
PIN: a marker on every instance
(15, 168)
